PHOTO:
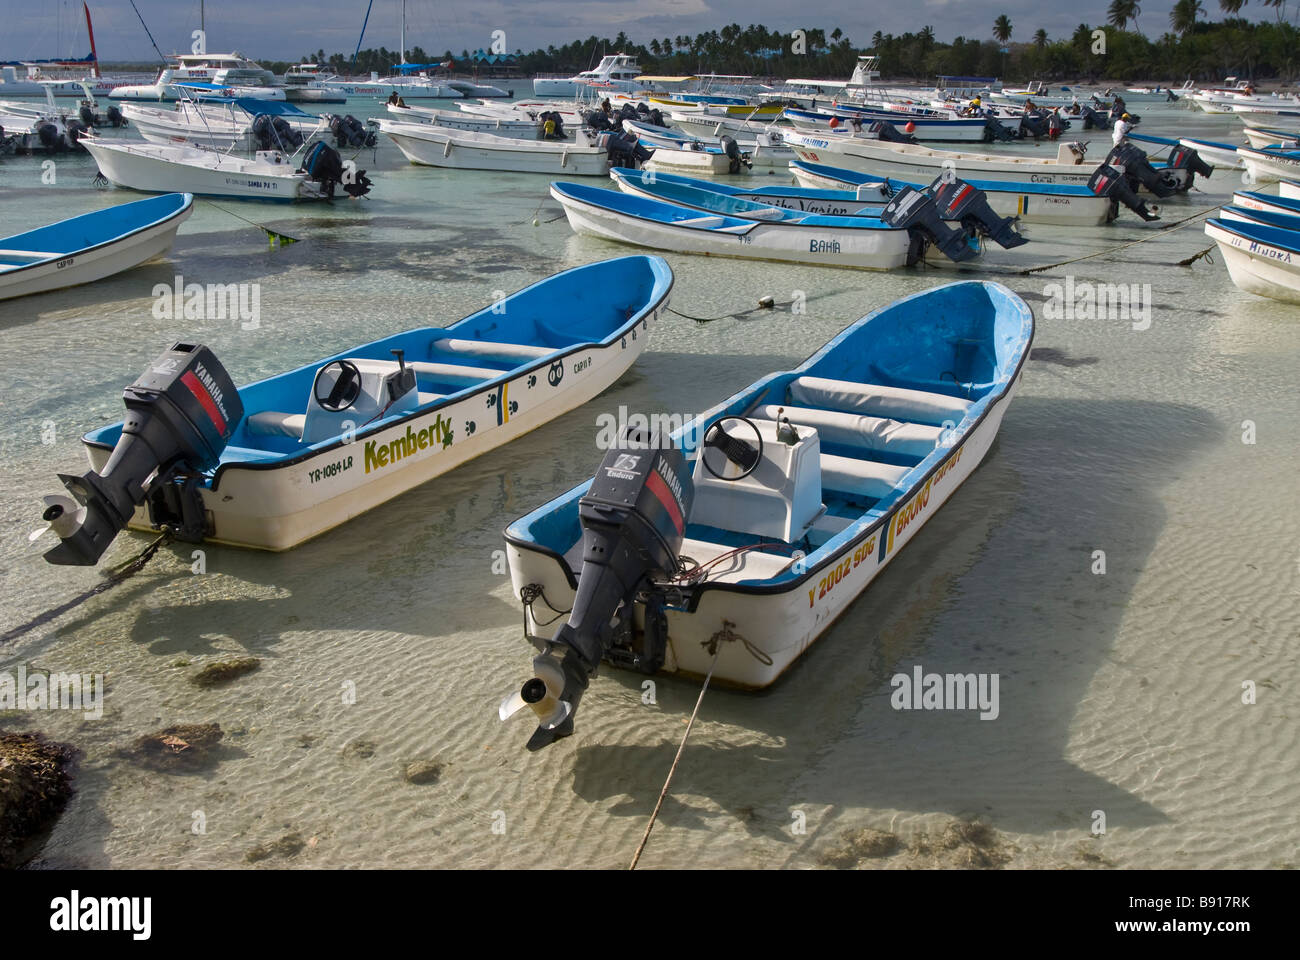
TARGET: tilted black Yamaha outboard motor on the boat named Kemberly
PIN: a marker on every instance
(180, 416)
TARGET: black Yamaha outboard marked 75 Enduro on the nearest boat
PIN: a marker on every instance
(634, 521)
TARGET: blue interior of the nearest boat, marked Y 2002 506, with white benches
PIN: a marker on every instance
(887, 401)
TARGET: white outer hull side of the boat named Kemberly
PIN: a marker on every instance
(279, 508)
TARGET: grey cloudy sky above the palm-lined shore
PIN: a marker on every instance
(287, 29)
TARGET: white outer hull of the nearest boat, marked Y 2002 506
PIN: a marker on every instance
(783, 625)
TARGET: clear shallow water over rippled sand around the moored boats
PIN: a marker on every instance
(1120, 693)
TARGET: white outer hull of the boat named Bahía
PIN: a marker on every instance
(861, 249)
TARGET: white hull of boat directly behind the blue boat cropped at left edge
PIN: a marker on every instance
(163, 170)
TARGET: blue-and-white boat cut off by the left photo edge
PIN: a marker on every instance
(92, 247)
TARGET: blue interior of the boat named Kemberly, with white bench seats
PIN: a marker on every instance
(284, 416)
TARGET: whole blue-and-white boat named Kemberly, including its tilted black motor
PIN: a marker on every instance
(288, 459)
